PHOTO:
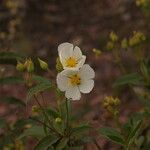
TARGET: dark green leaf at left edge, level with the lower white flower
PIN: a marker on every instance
(11, 80)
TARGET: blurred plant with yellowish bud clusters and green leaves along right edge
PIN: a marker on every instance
(134, 133)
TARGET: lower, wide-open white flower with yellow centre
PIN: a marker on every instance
(75, 82)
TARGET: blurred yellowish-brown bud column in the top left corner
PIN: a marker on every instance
(15, 12)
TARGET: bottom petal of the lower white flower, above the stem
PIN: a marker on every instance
(73, 93)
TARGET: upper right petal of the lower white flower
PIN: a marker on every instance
(86, 72)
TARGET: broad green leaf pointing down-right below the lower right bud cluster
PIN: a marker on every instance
(112, 135)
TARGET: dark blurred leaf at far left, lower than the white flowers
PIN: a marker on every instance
(13, 100)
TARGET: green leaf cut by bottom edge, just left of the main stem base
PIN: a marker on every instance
(46, 142)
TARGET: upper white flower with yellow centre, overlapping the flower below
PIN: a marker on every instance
(70, 57)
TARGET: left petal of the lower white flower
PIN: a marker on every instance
(62, 82)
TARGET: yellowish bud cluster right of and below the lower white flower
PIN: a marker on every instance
(111, 104)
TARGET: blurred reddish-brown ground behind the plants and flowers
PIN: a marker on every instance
(35, 28)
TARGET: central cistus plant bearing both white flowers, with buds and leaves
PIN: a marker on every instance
(56, 128)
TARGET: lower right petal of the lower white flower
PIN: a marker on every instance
(86, 86)
